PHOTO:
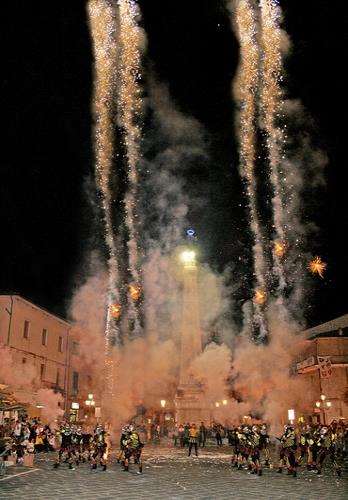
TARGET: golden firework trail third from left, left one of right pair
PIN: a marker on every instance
(246, 93)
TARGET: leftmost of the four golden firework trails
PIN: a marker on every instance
(102, 21)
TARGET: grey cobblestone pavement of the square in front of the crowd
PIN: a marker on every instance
(168, 474)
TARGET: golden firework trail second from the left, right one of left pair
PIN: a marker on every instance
(129, 106)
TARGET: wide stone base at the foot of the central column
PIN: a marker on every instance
(191, 405)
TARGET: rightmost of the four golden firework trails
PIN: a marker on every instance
(271, 104)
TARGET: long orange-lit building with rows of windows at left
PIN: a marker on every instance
(46, 346)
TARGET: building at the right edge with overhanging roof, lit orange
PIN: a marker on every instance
(323, 366)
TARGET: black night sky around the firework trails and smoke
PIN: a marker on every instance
(48, 220)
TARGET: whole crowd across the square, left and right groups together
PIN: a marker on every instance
(253, 448)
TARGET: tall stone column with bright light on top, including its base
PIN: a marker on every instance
(189, 400)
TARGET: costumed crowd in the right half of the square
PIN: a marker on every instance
(309, 445)
